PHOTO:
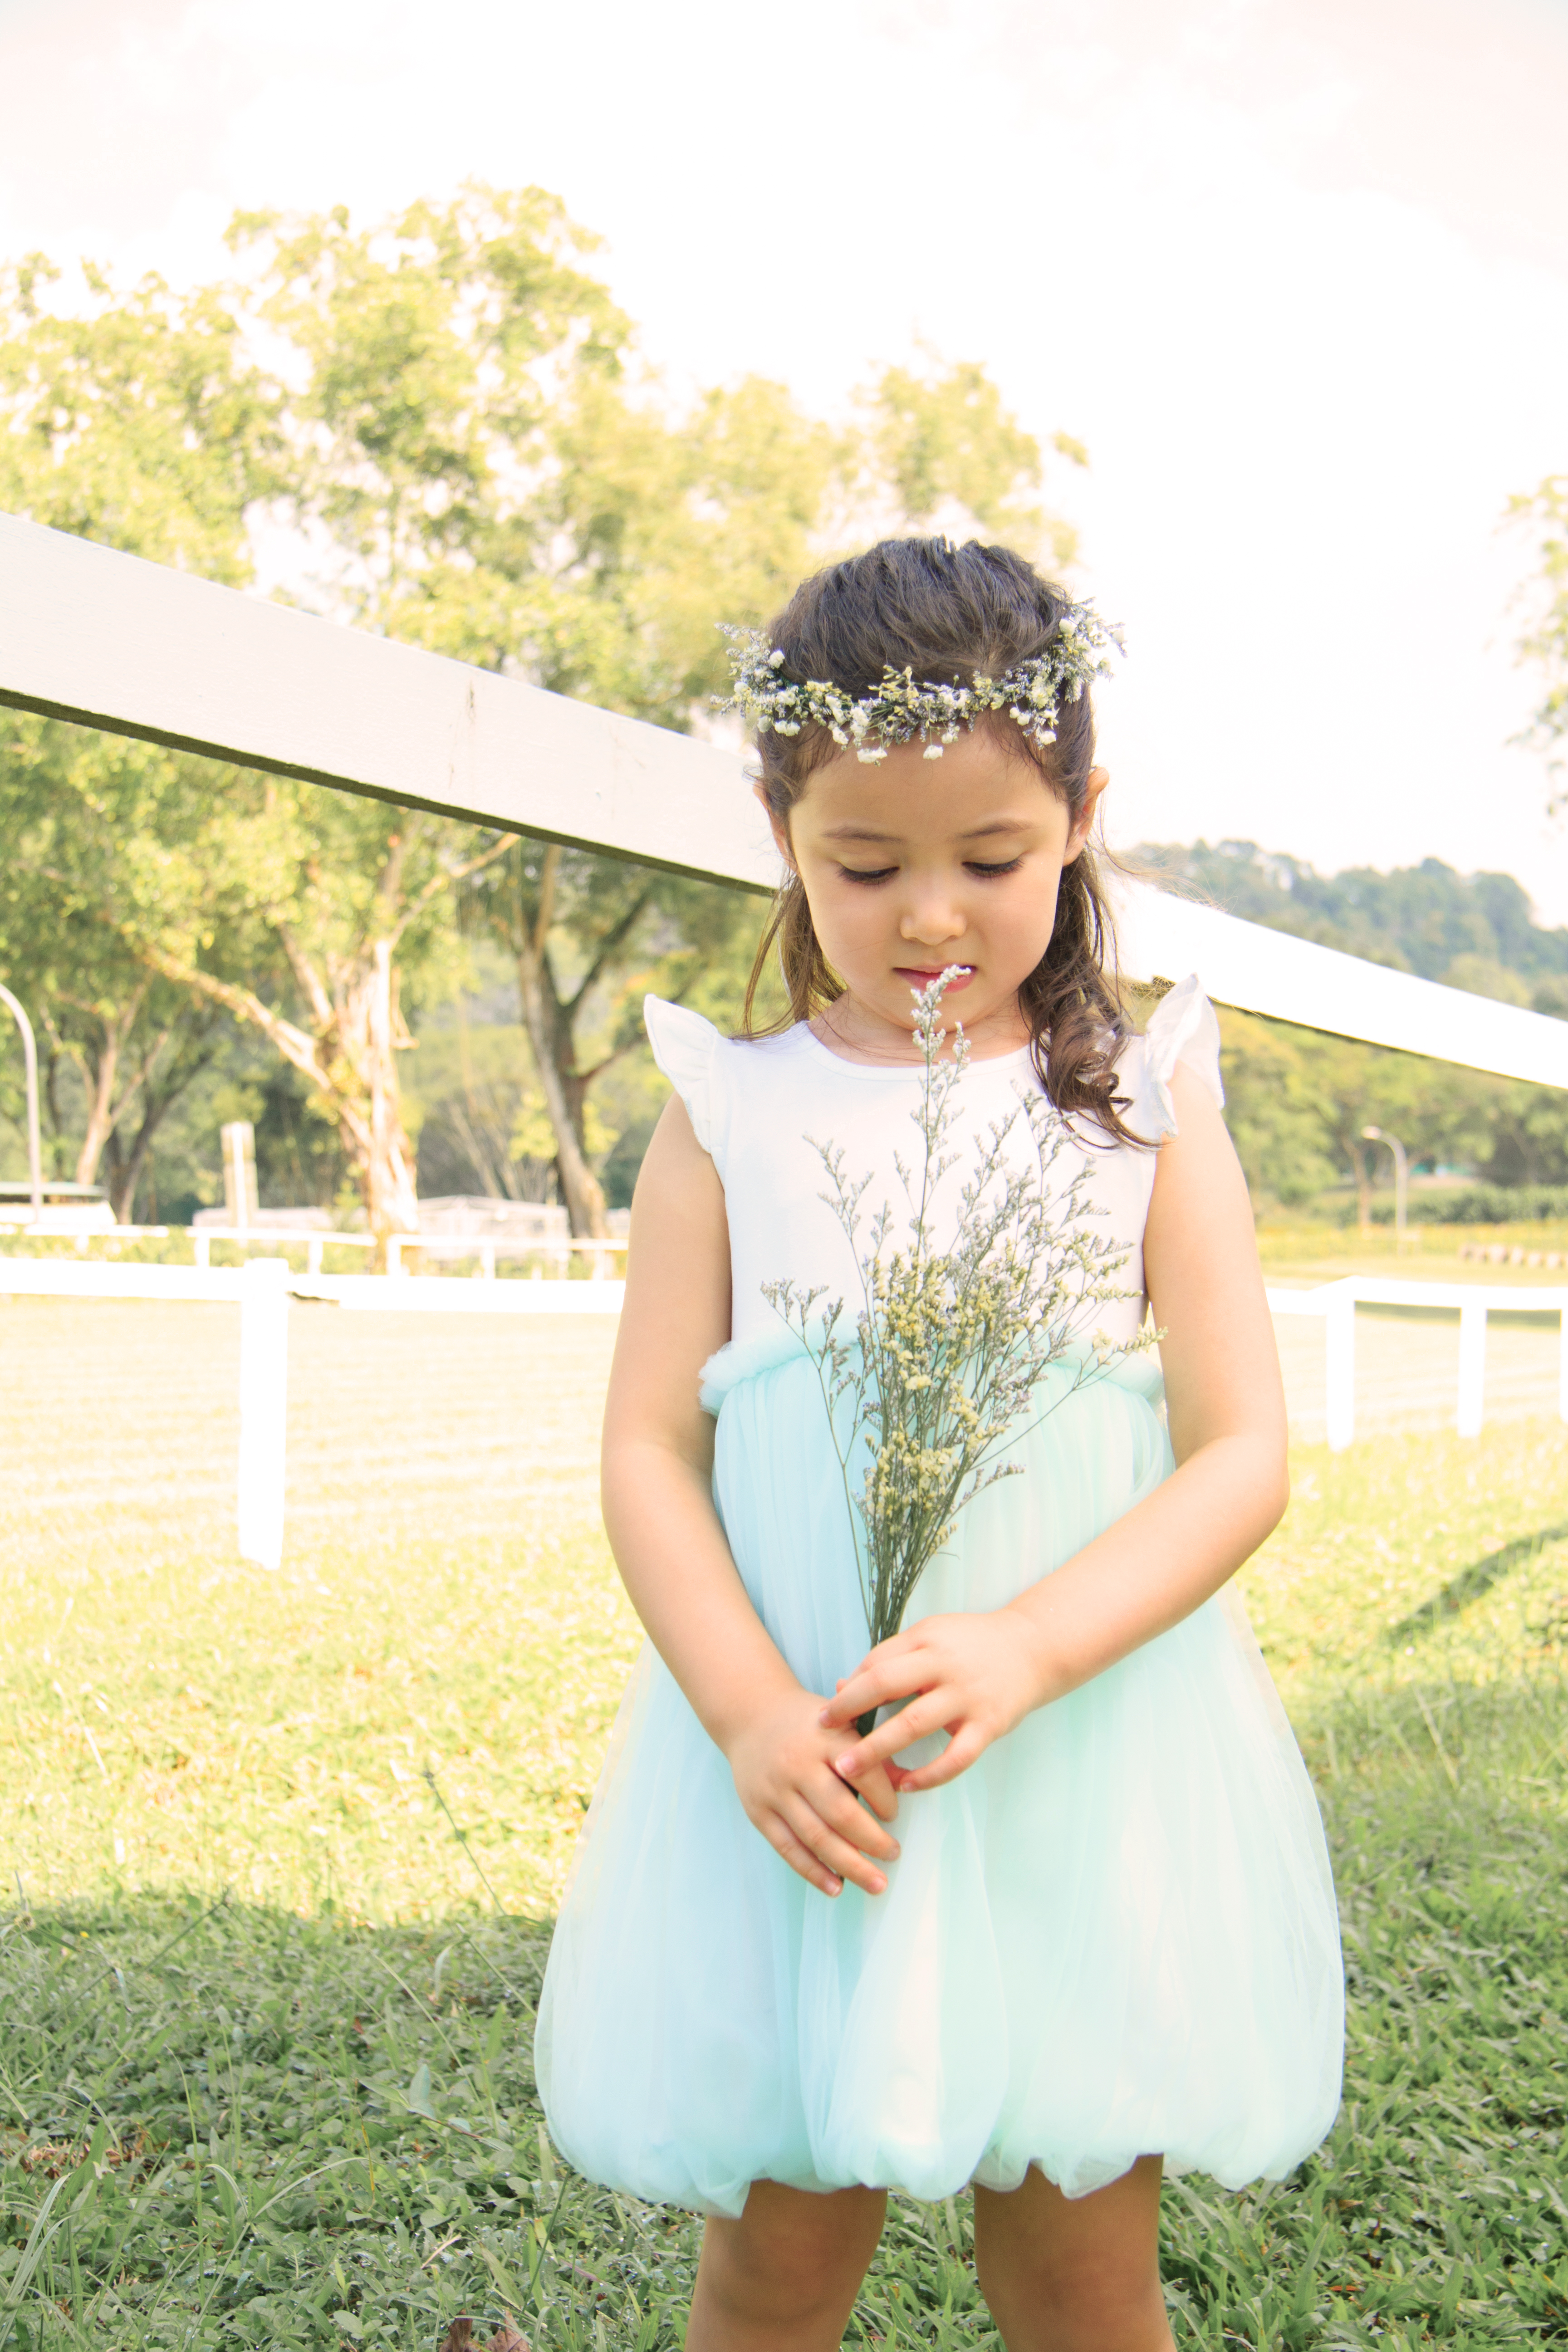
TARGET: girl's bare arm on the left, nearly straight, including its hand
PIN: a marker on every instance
(671, 1549)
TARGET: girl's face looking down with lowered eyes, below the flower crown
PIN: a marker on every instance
(918, 864)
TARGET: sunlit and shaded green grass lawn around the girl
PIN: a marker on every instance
(283, 1852)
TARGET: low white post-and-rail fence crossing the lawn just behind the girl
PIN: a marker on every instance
(264, 1288)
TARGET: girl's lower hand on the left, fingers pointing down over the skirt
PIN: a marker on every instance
(784, 1777)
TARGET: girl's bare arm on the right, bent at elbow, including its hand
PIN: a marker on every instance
(979, 1676)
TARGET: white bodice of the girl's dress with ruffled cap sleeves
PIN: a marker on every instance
(763, 1107)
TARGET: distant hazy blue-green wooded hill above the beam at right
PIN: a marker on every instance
(1468, 930)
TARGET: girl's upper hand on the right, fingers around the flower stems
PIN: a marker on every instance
(967, 1676)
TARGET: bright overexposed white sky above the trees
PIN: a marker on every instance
(1296, 272)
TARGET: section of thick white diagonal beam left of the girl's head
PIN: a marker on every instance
(112, 641)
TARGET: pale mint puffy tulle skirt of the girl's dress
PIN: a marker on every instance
(1113, 1937)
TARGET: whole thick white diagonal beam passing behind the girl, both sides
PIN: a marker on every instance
(109, 641)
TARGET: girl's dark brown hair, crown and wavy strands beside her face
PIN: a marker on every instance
(951, 615)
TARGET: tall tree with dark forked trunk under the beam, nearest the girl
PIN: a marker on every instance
(507, 486)
